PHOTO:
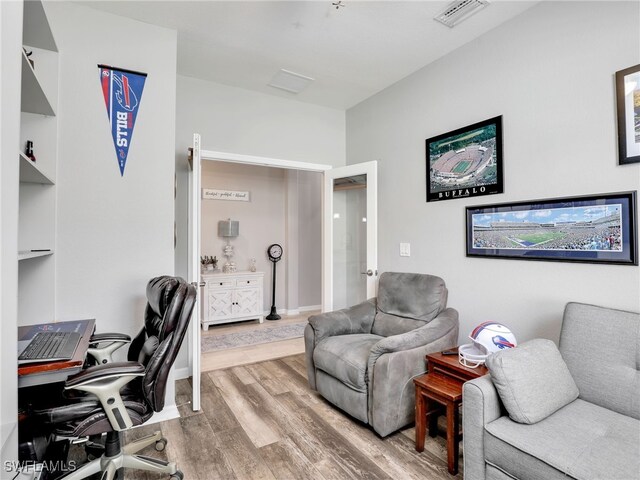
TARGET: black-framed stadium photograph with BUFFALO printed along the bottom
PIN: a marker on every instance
(466, 162)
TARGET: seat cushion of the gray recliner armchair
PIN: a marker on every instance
(345, 357)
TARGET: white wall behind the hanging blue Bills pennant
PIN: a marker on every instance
(114, 233)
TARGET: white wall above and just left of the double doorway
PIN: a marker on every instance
(240, 121)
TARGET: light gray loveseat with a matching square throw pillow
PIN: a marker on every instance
(547, 414)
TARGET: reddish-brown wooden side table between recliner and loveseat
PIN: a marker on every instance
(441, 387)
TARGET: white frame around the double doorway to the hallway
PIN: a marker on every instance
(217, 156)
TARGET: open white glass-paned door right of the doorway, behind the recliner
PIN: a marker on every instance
(350, 257)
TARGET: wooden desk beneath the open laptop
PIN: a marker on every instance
(50, 372)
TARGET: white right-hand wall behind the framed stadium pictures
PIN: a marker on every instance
(550, 73)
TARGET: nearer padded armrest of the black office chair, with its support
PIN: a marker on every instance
(105, 382)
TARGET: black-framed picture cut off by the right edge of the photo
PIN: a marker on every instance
(628, 110)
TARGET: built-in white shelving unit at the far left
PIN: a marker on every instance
(37, 192)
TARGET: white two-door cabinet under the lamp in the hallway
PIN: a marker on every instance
(232, 297)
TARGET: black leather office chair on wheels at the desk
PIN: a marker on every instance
(121, 395)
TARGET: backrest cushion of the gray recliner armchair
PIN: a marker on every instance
(407, 301)
